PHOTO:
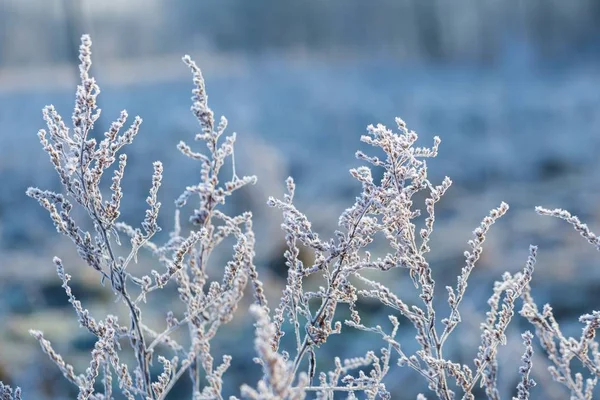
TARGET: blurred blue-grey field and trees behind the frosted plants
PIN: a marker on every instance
(511, 87)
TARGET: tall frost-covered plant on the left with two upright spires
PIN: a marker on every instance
(80, 162)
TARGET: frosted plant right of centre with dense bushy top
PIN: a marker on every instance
(386, 207)
